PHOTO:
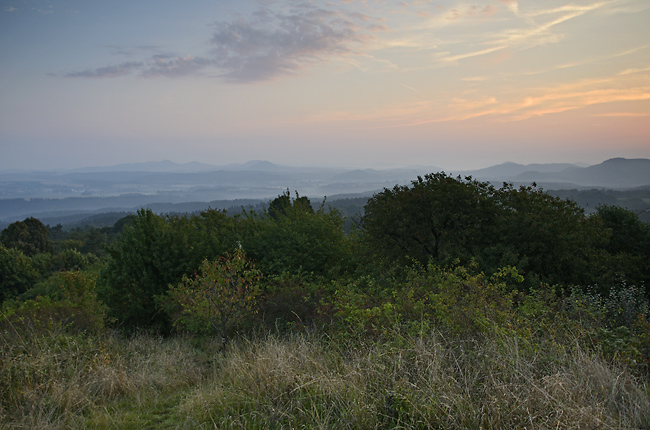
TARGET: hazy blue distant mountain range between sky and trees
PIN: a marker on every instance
(128, 186)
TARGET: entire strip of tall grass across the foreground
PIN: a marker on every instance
(58, 380)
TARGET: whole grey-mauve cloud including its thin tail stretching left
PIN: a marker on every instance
(266, 45)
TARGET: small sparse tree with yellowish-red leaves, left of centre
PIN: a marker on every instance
(220, 297)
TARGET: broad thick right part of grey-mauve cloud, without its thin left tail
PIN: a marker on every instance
(270, 44)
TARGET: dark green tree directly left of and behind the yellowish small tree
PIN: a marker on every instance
(153, 252)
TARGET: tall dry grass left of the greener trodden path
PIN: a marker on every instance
(55, 379)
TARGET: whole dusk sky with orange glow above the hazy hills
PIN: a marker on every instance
(358, 83)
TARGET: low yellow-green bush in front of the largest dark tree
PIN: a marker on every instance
(453, 300)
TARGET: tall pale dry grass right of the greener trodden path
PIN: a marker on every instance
(416, 382)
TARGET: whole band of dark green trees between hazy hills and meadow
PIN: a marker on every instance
(291, 263)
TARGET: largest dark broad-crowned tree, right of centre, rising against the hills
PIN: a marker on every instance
(447, 219)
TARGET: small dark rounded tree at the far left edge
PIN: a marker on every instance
(30, 236)
